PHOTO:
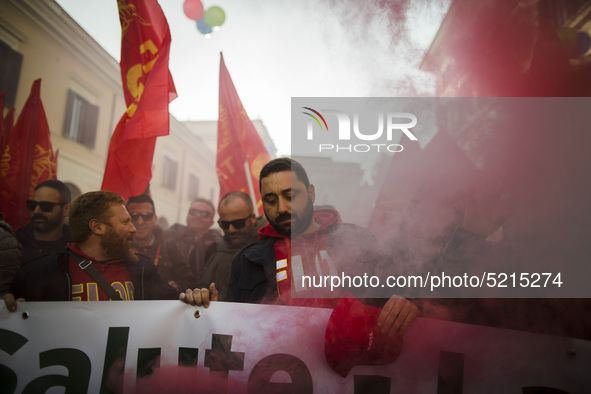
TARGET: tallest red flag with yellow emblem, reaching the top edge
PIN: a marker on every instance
(148, 88)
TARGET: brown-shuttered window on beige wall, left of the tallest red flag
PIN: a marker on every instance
(81, 120)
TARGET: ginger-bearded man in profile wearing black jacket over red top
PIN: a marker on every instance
(102, 232)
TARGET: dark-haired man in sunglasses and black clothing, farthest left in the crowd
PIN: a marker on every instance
(47, 233)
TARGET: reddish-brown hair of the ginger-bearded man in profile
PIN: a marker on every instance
(91, 205)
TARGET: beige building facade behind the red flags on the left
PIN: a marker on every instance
(57, 50)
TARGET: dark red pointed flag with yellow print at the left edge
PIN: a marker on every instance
(28, 159)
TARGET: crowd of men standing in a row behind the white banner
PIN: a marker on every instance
(112, 249)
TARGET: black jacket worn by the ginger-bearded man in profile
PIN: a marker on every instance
(48, 279)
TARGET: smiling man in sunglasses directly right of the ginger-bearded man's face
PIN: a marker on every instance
(149, 241)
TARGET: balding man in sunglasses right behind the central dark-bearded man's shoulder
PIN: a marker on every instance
(238, 221)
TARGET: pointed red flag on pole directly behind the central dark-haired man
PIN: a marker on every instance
(241, 153)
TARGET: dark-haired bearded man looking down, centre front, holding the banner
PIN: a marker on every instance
(301, 241)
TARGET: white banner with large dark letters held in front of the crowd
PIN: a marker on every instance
(160, 347)
